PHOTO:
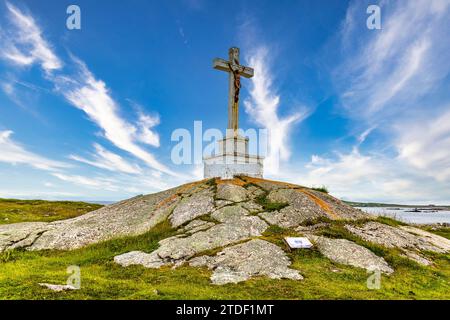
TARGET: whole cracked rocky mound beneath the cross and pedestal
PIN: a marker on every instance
(223, 225)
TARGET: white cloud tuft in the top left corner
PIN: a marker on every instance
(27, 45)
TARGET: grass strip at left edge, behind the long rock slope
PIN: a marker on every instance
(13, 210)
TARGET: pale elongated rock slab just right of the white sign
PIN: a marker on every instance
(349, 253)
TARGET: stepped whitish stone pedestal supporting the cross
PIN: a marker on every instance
(233, 159)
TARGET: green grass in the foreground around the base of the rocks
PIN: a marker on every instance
(101, 278)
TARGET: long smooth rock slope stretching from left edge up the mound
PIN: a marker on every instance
(130, 217)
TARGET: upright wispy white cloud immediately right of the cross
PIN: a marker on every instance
(263, 107)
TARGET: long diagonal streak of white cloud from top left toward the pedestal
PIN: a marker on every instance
(82, 90)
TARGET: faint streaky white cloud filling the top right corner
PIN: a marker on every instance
(383, 75)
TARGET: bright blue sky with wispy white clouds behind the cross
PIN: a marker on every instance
(88, 114)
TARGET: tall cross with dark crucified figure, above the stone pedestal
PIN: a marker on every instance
(235, 71)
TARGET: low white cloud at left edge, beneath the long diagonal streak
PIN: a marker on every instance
(13, 153)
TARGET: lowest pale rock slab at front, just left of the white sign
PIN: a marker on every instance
(244, 261)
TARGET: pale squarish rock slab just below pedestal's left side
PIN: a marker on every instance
(192, 207)
